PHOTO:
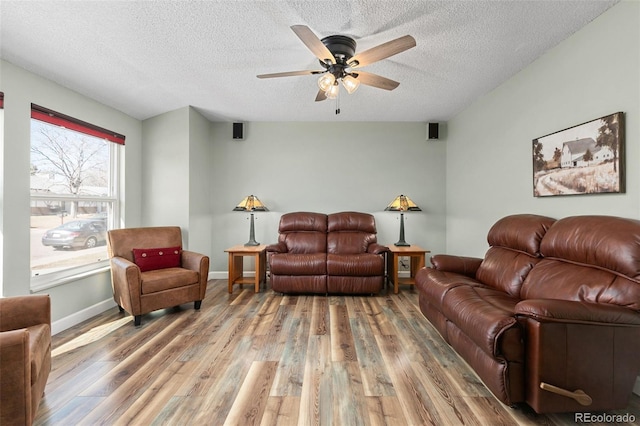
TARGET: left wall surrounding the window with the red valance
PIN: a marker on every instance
(22, 88)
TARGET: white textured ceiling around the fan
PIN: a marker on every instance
(148, 57)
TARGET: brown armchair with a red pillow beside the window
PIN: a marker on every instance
(150, 271)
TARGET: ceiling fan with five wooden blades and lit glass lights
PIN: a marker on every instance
(338, 58)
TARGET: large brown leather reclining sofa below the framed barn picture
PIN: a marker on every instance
(550, 316)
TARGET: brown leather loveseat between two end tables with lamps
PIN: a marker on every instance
(320, 253)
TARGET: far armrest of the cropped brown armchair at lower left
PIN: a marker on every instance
(24, 311)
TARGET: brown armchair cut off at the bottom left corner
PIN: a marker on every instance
(25, 356)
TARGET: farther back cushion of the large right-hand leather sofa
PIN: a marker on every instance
(514, 249)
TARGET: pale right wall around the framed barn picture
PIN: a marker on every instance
(489, 160)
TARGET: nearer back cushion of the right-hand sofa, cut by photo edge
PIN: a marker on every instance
(589, 258)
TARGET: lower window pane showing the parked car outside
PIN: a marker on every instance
(60, 241)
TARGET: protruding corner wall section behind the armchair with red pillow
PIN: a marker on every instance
(175, 175)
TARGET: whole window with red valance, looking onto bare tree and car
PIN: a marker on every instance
(74, 195)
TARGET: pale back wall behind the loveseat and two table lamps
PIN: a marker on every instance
(326, 167)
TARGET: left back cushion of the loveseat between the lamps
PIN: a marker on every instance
(303, 232)
